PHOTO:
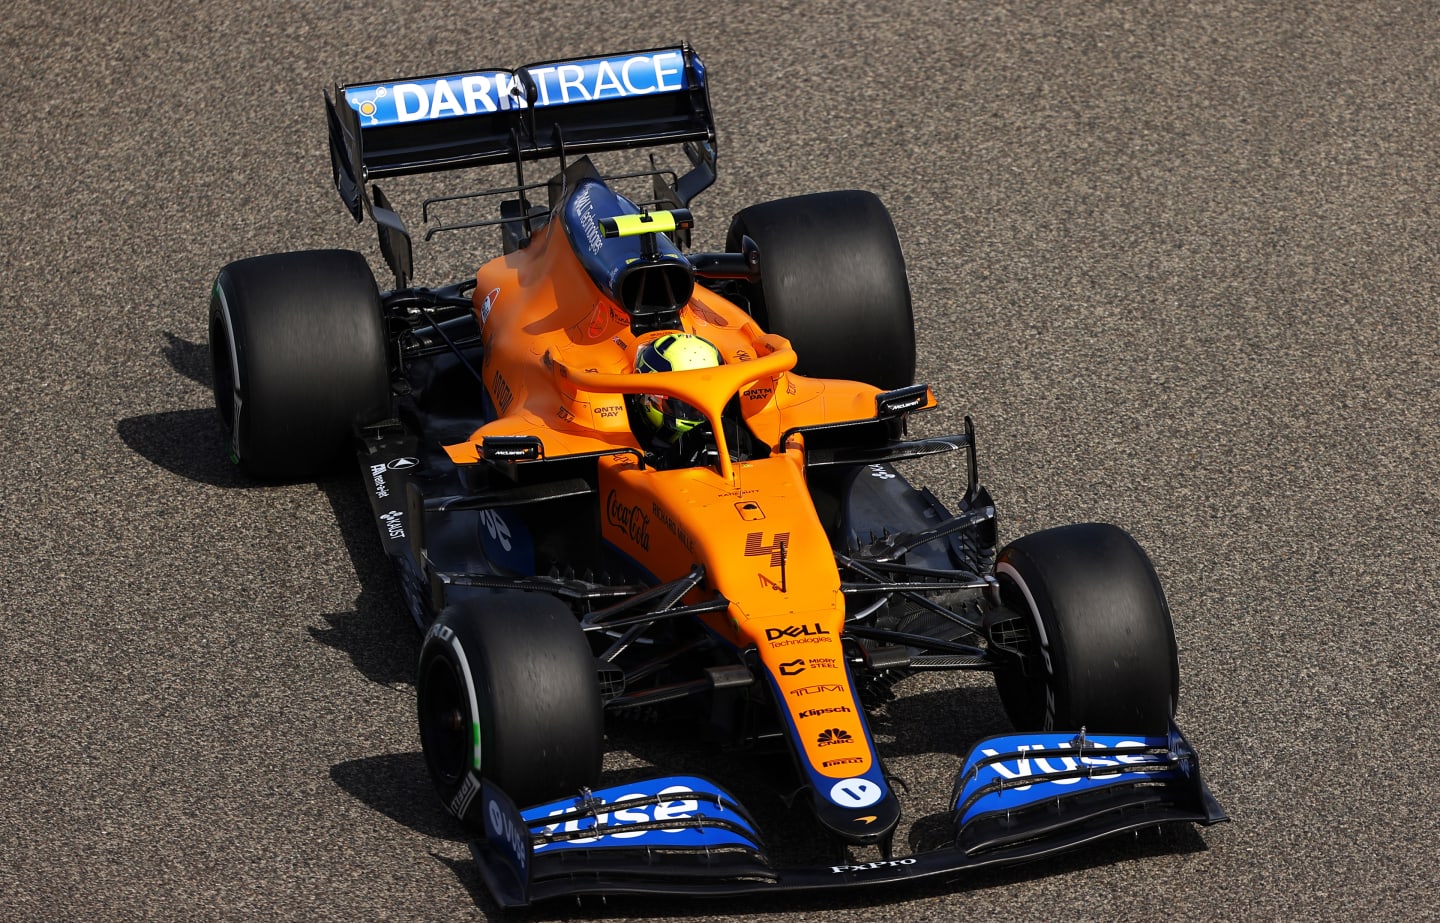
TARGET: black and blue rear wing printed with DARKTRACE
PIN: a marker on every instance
(557, 109)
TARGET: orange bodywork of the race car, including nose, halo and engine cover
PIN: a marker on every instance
(558, 362)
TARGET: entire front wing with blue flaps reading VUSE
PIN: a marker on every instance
(1019, 797)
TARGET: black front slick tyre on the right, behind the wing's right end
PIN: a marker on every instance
(1101, 647)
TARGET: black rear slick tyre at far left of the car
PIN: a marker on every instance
(299, 349)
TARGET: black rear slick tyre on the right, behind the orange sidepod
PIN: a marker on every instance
(833, 283)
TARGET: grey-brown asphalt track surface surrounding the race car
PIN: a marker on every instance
(1180, 264)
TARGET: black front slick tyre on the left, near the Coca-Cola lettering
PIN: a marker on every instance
(509, 688)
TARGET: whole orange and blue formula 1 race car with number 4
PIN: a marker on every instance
(614, 474)
